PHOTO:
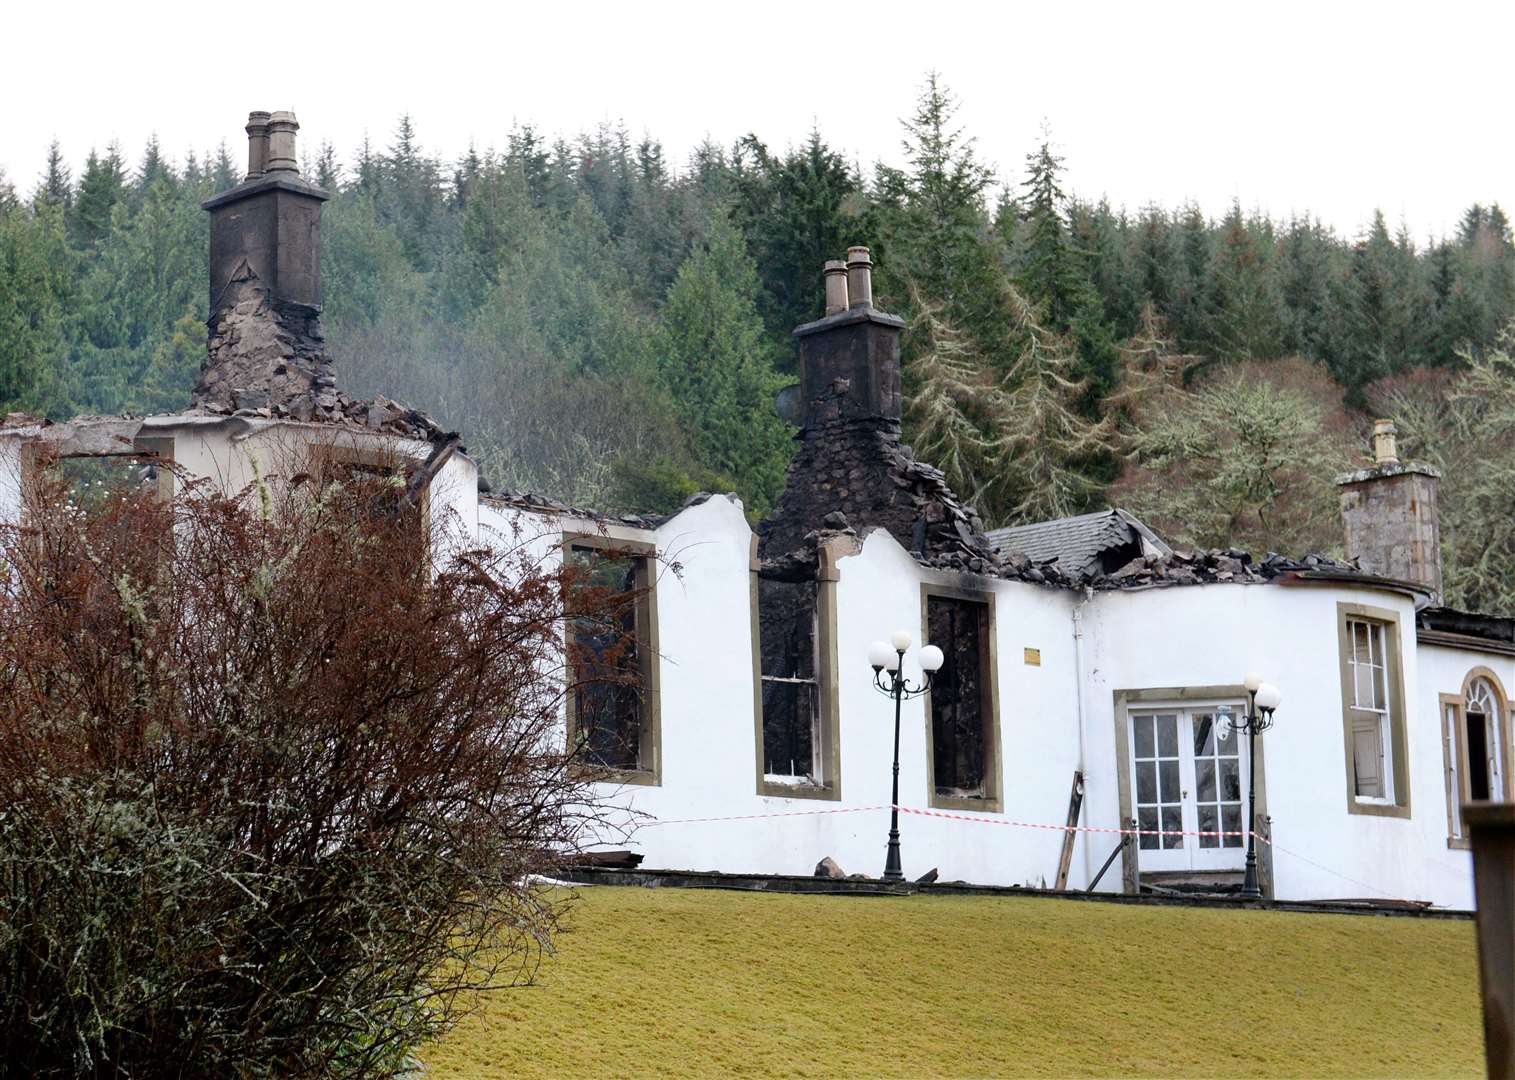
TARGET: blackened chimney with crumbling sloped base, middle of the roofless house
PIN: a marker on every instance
(851, 470)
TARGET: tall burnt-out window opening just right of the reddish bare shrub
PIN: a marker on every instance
(610, 658)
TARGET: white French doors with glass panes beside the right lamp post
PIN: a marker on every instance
(1187, 781)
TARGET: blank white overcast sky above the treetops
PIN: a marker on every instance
(1331, 107)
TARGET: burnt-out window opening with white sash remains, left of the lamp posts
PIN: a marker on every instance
(792, 695)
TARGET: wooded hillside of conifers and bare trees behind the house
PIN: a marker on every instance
(611, 329)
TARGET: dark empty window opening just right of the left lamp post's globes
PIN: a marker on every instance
(961, 704)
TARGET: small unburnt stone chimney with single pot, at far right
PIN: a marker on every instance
(1390, 514)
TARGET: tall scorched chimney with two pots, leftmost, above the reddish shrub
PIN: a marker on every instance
(266, 348)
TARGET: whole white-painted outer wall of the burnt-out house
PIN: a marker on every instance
(1135, 640)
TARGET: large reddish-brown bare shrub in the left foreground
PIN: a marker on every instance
(276, 785)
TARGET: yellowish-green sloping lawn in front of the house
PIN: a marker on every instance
(689, 982)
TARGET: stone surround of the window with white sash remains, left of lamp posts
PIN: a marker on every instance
(826, 676)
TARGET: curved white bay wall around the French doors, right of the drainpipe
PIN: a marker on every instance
(1213, 635)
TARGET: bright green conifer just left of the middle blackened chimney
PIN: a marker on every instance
(717, 370)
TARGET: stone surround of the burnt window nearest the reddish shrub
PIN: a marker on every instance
(649, 743)
